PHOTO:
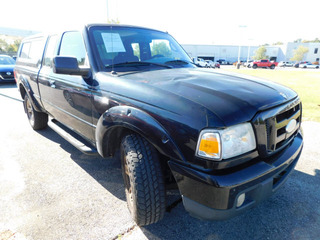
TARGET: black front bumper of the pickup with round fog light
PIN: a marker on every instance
(214, 197)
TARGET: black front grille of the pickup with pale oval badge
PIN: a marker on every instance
(275, 128)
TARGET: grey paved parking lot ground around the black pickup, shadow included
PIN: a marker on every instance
(50, 190)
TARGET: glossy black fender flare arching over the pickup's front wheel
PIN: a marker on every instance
(138, 121)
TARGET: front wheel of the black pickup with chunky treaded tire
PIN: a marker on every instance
(143, 179)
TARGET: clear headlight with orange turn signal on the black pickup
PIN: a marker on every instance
(227, 143)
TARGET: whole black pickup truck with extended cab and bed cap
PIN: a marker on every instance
(226, 141)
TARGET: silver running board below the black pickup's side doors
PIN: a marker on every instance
(71, 139)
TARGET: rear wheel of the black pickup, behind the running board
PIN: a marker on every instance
(37, 120)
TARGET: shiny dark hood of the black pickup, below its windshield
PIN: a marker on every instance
(231, 98)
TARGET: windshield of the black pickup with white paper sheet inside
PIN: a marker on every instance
(123, 49)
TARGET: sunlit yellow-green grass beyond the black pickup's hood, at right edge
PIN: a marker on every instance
(305, 82)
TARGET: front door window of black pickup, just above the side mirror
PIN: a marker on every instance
(72, 45)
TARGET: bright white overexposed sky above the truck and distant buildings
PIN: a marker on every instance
(242, 22)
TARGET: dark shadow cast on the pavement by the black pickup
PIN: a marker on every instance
(291, 213)
